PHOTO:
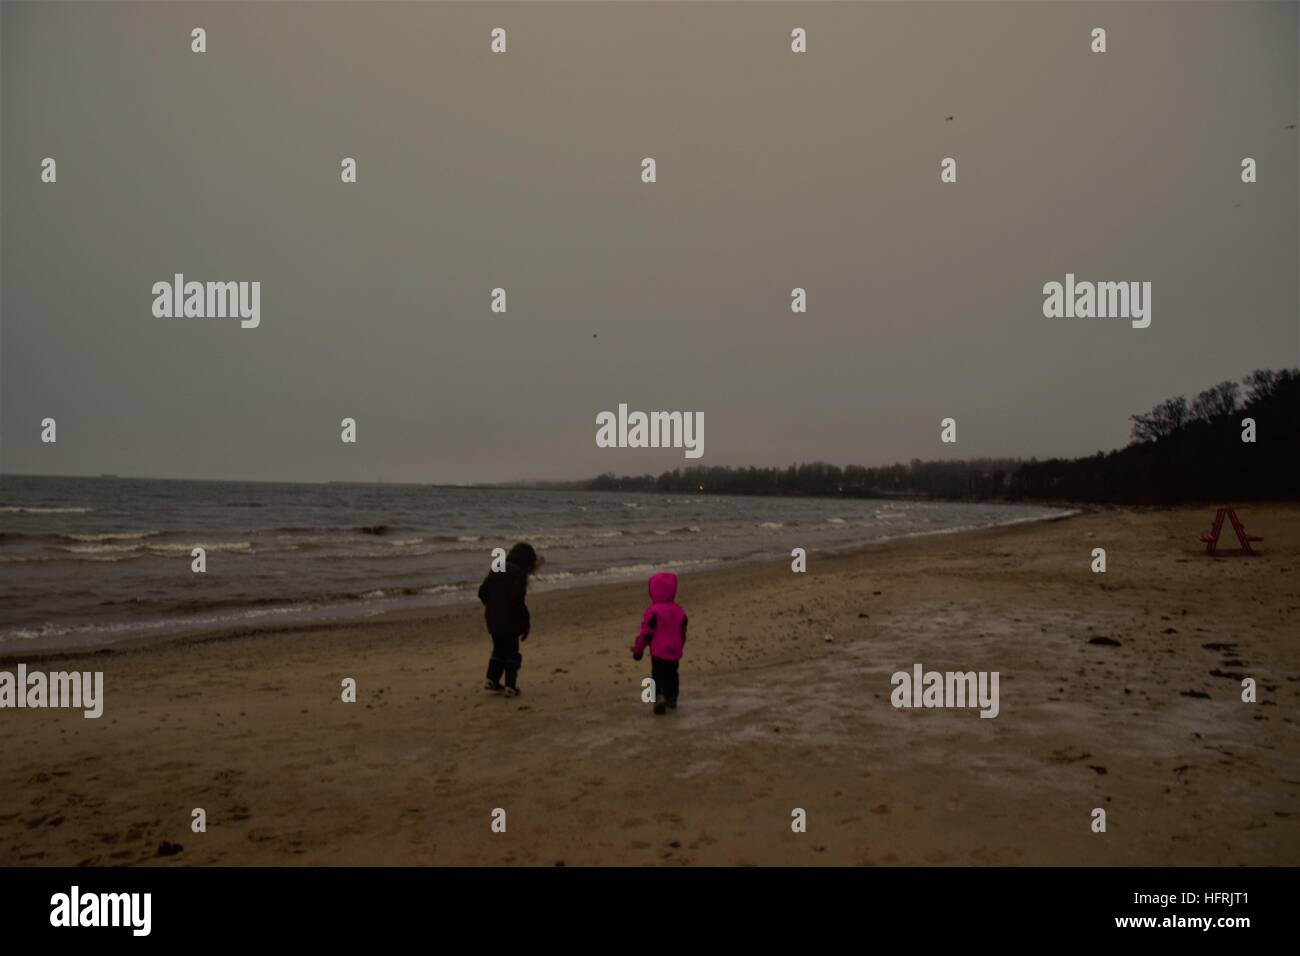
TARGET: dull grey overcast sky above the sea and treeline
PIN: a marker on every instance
(523, 171)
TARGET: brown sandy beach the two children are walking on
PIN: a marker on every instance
(250, 726)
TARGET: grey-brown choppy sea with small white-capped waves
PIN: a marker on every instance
(90, 561)
